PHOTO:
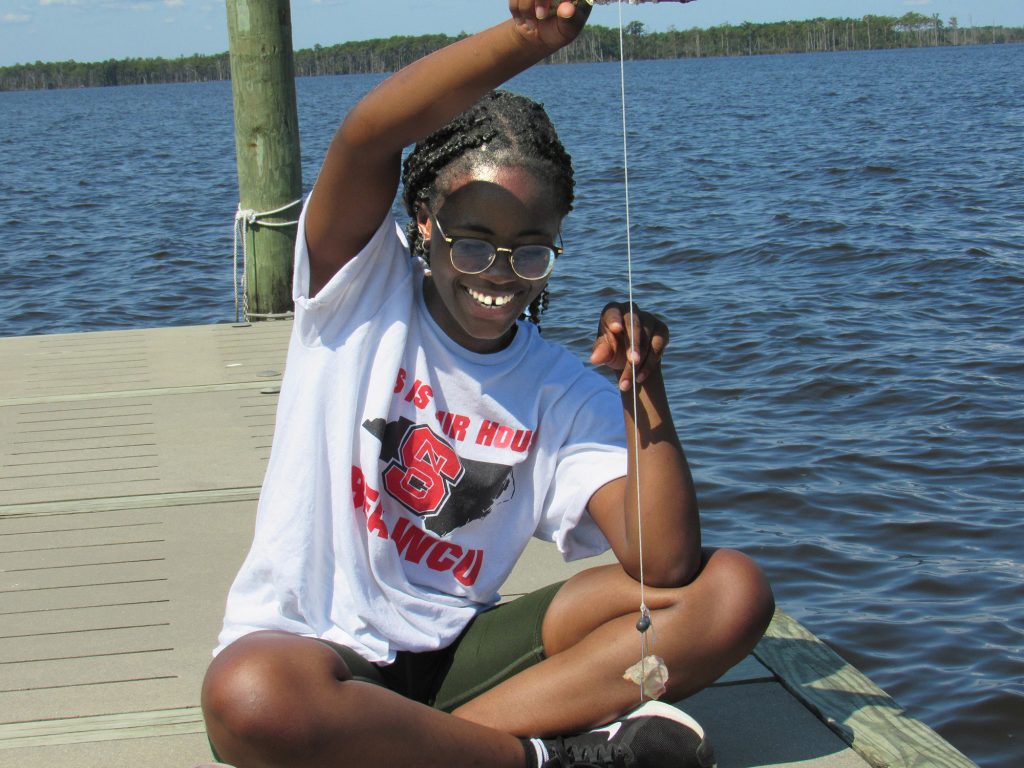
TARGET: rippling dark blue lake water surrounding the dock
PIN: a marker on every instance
(837, 242)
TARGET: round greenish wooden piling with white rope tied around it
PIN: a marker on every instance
(267, 142)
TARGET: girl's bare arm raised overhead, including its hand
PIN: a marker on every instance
(360, 177)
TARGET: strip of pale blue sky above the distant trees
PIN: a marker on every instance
(98, 30)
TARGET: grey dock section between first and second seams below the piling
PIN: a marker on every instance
(145, 445)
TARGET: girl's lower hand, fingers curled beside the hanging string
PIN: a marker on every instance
(629, 338)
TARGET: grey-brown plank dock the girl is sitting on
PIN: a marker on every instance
(131, 464)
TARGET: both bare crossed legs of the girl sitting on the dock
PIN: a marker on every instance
(278, 700)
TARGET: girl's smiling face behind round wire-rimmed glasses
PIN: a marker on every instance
(508, 207)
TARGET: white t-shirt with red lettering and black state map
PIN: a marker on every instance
(408, 474)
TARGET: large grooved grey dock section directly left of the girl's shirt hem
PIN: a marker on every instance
(120, 612)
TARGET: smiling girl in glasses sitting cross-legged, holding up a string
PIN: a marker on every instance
(425, 433)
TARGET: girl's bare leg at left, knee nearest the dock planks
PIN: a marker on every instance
(278, 700)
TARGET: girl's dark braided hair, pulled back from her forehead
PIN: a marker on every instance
(502, 129)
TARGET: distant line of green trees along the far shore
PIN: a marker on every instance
(595, 45)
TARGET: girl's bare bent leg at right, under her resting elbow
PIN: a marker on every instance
(590, 637)
